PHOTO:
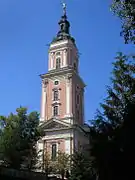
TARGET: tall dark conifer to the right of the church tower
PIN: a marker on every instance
(113, 129)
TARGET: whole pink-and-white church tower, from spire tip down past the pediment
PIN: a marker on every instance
(62, 100)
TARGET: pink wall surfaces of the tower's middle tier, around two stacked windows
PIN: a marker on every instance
(75, 89)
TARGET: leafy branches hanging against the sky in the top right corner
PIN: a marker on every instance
(125, 10)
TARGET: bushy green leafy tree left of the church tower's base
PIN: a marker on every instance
(18, 138)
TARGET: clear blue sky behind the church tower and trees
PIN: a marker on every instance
(27, 26)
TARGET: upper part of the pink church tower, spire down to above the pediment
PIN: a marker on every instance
(62, 86)
